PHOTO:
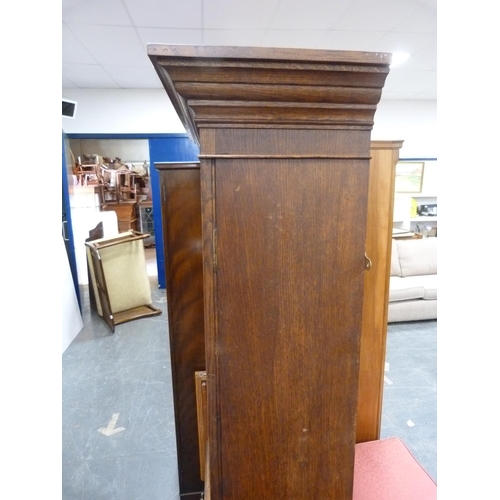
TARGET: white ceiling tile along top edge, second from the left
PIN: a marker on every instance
(165, 14)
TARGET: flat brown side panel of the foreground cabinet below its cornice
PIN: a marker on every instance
(290, 268)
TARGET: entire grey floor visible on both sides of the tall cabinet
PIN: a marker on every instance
(118, 435)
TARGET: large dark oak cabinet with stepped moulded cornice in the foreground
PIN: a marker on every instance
(284, 165)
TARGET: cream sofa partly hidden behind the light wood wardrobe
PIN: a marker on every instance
(413, 281)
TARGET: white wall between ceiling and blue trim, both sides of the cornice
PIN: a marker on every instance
(106, 111)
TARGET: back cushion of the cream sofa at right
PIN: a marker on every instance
(417, 257)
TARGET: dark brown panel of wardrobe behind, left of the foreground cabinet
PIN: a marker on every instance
(181, 217)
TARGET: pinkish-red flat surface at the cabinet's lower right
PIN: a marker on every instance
(386, 470)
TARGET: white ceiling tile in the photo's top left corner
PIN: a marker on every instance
(101, 12)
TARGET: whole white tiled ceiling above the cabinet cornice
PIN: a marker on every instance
(114, 34)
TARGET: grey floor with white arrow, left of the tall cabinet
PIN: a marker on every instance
(118, 434)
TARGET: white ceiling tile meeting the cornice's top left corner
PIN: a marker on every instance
(115, 45)
